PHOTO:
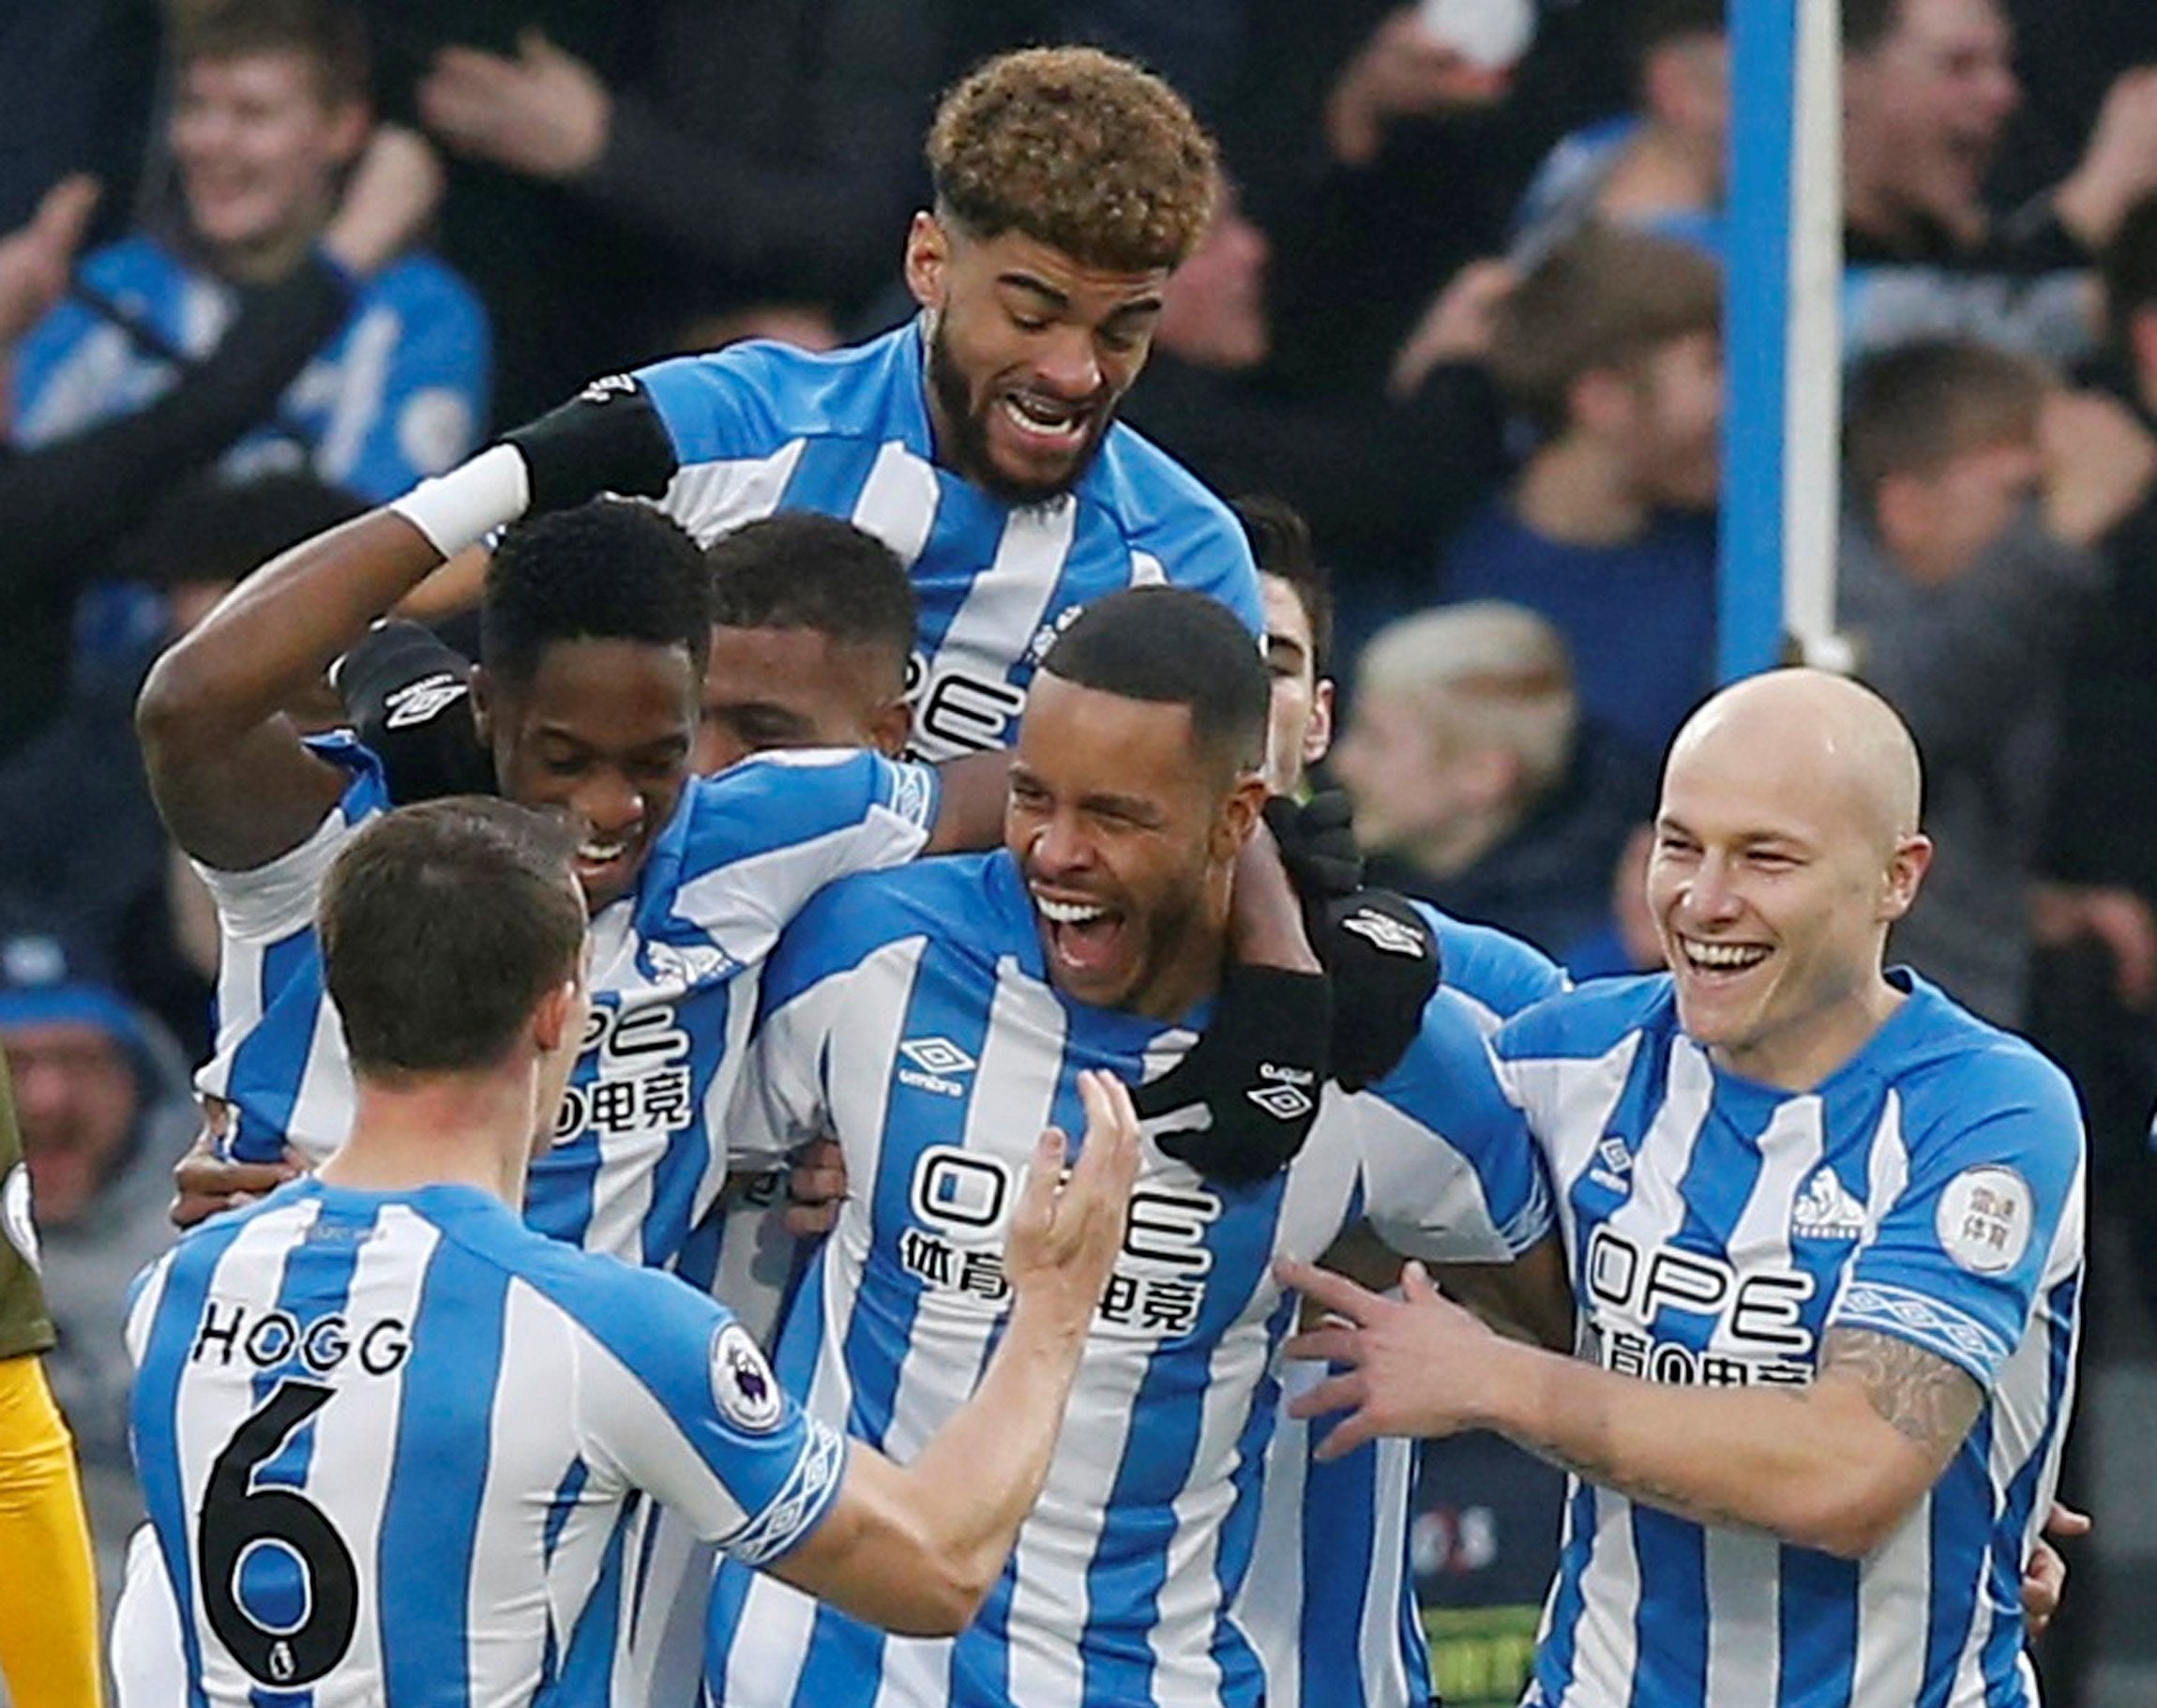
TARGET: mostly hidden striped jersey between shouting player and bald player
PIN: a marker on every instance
(1332, 1595)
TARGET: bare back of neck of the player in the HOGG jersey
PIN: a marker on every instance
(439, 1131)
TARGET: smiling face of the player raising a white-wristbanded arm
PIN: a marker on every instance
(603, 730)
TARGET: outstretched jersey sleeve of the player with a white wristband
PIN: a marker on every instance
(775, 829)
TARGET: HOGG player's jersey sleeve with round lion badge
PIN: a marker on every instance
(676, 1399)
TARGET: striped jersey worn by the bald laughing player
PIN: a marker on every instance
(1716, 1230)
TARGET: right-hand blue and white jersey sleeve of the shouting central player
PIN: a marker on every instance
(1451, 1172)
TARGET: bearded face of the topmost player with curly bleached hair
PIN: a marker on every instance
(1030, 355)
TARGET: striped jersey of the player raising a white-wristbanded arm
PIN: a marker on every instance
(674, 969)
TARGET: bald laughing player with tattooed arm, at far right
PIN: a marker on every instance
(1826, 1235)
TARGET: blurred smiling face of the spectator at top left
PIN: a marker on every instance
(260, 152)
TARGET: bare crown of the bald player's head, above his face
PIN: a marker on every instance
(1819, 736)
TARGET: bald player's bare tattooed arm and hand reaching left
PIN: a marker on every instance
(1835, 1465)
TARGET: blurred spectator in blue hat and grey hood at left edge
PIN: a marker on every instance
(105, 1110)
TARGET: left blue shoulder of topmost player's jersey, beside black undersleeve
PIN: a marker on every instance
(758, 396)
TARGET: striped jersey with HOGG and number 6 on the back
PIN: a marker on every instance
(391, 1444)
